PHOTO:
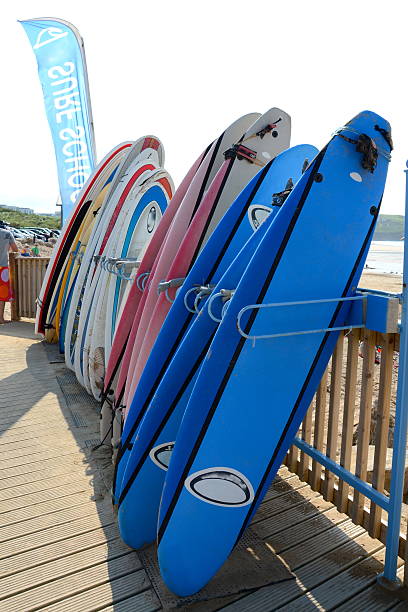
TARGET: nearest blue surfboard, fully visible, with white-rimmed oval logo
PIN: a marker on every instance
(261, 370)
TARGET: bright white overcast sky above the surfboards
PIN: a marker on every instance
(184, 71)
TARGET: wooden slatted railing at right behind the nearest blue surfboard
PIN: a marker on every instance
(350, 420)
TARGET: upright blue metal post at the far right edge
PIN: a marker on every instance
(400, 431)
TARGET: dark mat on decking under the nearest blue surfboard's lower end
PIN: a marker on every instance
(251, 565)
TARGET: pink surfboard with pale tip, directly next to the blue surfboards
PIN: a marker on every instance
(263, 144)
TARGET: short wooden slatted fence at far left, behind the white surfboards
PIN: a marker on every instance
(27, 274)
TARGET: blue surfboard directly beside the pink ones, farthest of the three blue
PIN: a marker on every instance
(237, 225)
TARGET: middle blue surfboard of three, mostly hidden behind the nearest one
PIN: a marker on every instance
(150, 453)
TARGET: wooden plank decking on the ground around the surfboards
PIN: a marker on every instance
(59, 545)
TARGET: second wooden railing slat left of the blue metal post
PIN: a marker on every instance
(364, 422)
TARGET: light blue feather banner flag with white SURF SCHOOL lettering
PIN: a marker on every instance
(60, 55)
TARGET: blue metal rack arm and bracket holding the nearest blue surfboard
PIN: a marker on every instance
(373, 310)
